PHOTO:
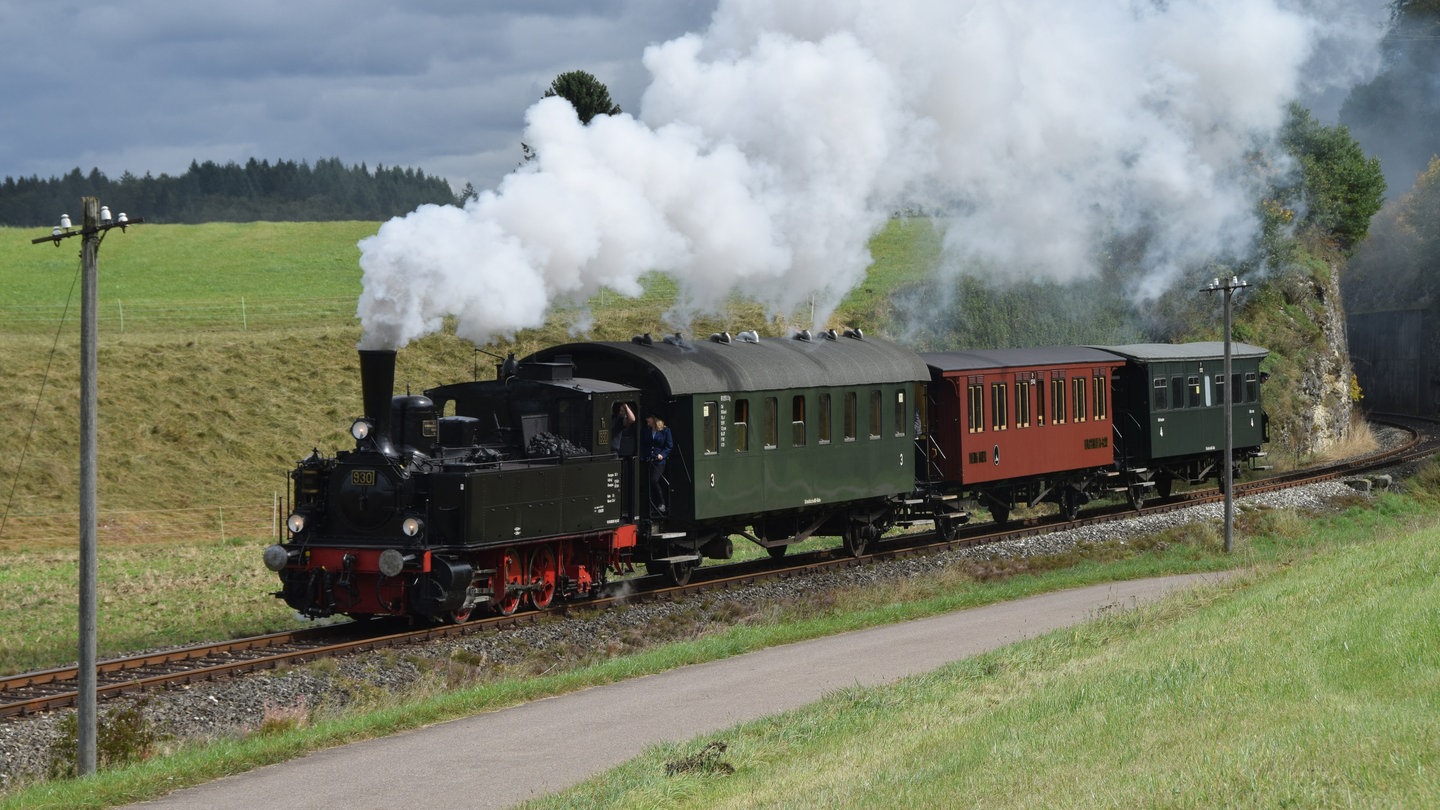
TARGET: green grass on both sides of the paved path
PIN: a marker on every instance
(1232, 687)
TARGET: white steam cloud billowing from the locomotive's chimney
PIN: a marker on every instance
(773, 146)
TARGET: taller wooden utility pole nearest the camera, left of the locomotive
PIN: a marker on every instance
(94, 227)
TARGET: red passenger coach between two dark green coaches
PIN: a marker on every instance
(1022, 426)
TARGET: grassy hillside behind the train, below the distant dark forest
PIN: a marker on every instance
(227, 352)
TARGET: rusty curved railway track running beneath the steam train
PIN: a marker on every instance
(30, 694)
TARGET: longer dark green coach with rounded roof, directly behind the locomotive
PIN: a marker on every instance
(794, 437)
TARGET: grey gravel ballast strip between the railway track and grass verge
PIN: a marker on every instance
(211, 711)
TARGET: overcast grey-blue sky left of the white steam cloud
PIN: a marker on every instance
(443, 86)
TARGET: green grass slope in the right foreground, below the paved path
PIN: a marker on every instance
(1317, 687)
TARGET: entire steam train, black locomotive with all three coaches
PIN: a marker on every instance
(509, 494)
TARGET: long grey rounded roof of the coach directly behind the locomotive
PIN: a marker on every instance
(774, 364)
